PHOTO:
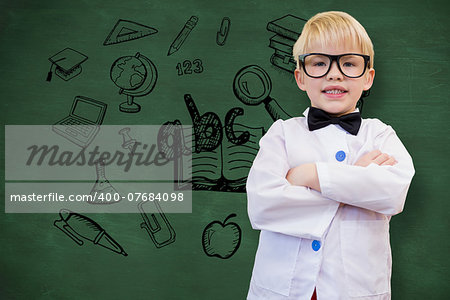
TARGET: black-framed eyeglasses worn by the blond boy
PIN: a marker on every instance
(317, 65)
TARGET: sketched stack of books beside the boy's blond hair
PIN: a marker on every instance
(287, 29)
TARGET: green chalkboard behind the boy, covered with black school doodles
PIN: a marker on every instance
(195, 50)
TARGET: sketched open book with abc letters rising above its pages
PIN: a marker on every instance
(221, 155)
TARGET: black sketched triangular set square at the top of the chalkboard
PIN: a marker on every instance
(125, 31)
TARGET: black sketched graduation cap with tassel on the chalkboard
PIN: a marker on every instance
(68, 64)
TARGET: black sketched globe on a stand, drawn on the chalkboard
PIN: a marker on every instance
(136, 77)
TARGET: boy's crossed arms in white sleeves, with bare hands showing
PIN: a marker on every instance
(302, 201)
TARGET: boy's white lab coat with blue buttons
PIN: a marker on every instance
(336, 241)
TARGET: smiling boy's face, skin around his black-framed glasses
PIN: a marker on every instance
(334, 93)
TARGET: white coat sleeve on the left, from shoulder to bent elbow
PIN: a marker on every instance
(276, 205)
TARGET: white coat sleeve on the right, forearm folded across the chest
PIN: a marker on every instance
(381, 189)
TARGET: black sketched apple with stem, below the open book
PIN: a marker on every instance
(221, 239)
